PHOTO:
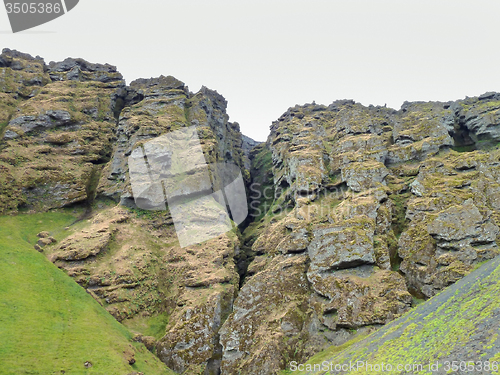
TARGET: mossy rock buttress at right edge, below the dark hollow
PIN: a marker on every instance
(453, 220)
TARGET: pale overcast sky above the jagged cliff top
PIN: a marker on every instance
(267, 56)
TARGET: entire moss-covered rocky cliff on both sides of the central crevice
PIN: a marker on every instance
(356, 213)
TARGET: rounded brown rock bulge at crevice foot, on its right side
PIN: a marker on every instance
(268, 320)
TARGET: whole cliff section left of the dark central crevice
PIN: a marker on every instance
(67, 131)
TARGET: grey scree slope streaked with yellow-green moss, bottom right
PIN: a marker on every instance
(460, 324)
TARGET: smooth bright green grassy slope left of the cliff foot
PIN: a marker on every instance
(49, 324)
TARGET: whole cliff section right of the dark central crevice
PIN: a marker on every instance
(368, 205)
